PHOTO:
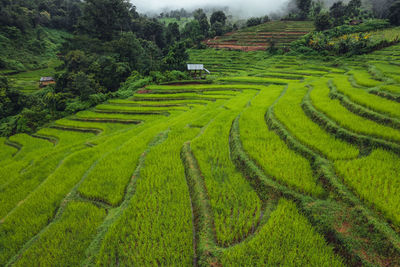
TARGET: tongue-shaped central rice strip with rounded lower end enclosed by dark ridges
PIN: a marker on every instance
(228, 191)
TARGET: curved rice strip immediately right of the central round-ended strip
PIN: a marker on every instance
(269, 151)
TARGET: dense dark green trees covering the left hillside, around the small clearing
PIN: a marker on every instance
(110, 42)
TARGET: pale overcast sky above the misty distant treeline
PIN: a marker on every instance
(244, 8)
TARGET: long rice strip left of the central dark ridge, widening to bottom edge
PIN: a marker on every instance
(150, 223)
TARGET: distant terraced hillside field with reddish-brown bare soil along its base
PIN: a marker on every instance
(260, 37)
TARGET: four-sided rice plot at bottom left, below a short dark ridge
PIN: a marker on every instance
(65, 241)
